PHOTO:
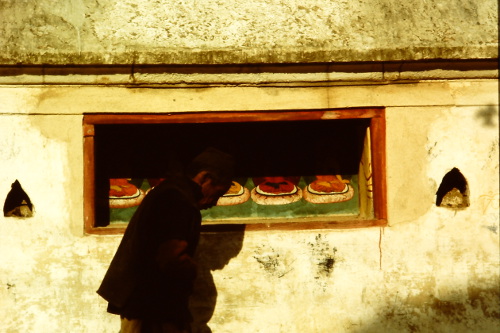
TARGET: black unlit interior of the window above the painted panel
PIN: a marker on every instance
(261, 148)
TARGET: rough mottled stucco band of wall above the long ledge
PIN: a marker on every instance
(245, 31)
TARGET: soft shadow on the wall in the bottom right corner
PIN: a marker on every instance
(476, 310)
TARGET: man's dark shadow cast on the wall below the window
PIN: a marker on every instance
(214, 252)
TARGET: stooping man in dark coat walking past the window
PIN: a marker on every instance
(150, 278)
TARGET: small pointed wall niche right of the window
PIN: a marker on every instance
(453, 191)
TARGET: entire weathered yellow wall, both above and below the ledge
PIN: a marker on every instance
(431, 270)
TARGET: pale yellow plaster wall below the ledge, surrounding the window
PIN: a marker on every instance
(431, 270)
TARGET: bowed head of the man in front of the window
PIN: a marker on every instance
(213, 170)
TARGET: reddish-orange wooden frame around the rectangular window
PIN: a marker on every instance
(377, 147)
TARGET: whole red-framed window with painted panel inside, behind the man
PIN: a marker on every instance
(298, 169)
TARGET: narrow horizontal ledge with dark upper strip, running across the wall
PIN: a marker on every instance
(280, 74)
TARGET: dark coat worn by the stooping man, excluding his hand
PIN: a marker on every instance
(135, 285)
